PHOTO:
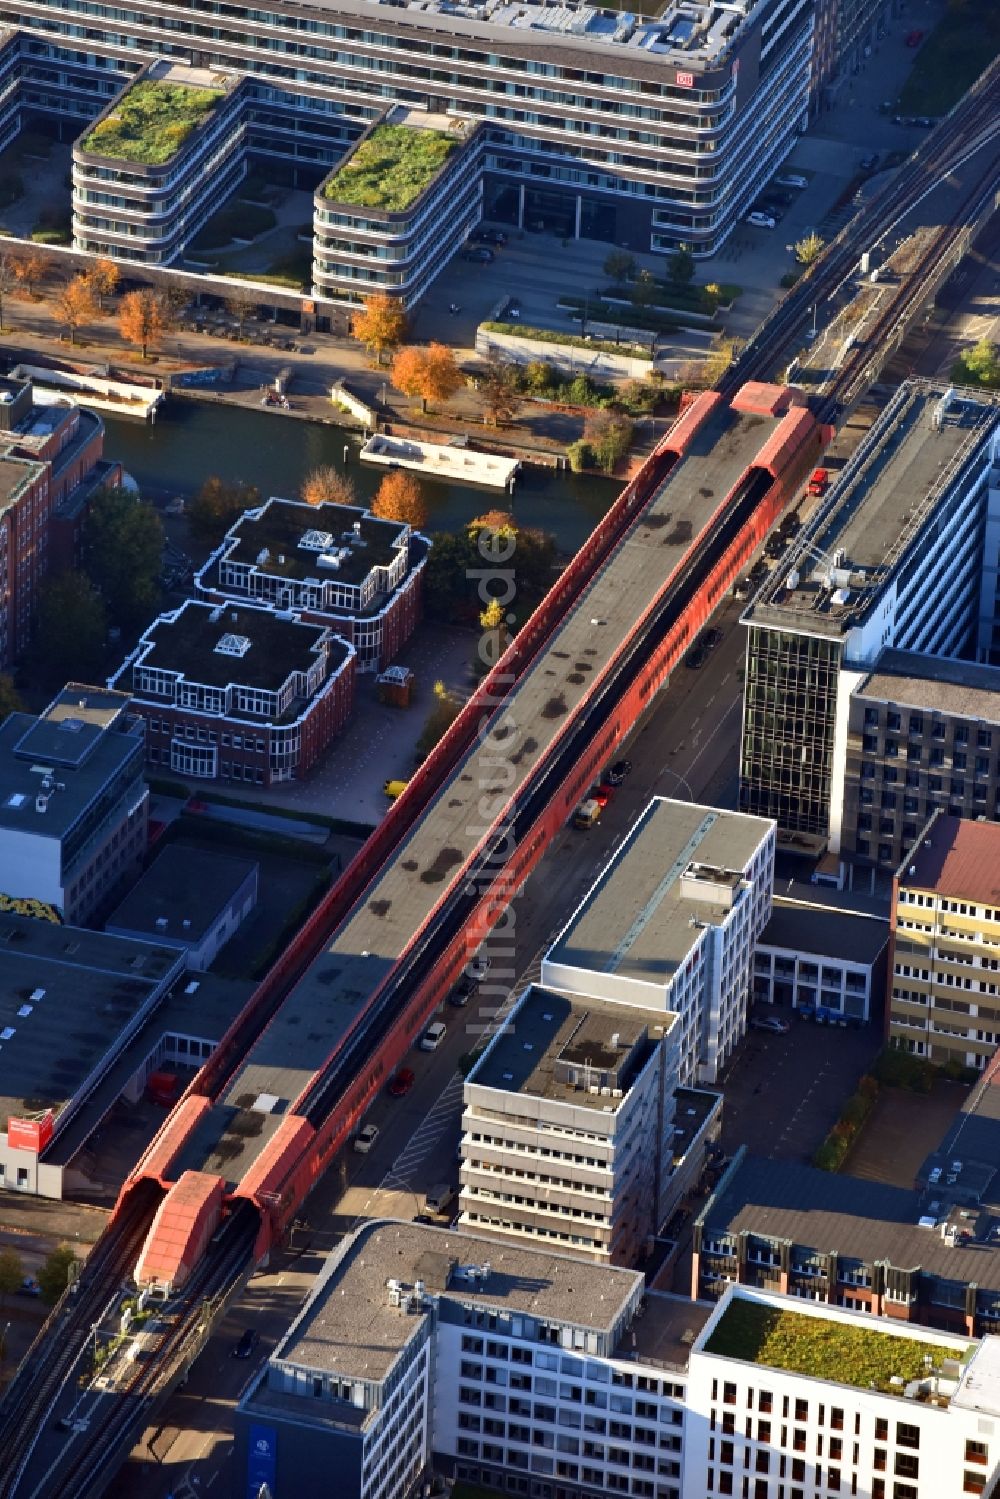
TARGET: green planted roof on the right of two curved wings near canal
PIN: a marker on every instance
(392, 167)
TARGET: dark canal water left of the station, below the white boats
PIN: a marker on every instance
(193, 440)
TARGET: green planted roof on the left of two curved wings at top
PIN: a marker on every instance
(157, 116)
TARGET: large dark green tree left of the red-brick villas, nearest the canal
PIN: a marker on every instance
(124, 551)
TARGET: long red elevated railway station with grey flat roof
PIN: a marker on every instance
(373, 965)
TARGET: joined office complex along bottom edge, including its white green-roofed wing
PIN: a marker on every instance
(530, 1374)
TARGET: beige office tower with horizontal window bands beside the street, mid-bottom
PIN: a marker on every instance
(569, 1128)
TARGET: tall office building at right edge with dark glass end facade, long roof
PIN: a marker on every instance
(894, 557)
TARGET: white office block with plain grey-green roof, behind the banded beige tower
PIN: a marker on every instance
(671, 926)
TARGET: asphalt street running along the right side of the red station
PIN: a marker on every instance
(687, 747)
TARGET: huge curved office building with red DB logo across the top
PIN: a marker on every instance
(602, 124)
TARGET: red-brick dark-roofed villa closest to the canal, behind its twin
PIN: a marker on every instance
(334, 564)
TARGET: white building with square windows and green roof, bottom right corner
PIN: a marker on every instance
(923, 1422)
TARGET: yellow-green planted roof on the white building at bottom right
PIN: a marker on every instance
(819, 1347)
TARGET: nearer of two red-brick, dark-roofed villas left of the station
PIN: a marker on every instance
(238, 693)
